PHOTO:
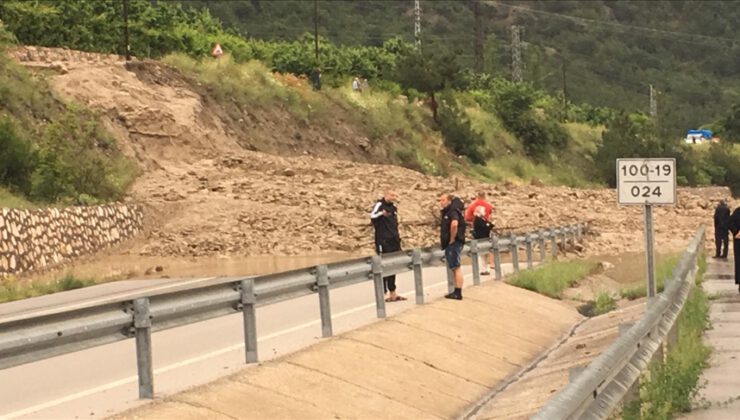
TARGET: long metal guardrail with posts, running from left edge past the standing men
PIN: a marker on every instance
(45, 333)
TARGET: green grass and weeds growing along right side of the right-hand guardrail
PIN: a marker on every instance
(673, 385)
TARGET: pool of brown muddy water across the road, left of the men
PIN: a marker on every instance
(119, 267)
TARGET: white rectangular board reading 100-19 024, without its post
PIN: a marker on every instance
(646, 181)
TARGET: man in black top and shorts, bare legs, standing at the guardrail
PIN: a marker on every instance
(452, 238)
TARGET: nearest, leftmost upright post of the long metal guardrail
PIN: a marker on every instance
(143, 330)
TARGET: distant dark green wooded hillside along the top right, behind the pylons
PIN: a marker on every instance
(609, 51)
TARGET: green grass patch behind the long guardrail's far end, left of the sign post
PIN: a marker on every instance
(552, 278)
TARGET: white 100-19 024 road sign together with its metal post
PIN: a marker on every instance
(647, 182)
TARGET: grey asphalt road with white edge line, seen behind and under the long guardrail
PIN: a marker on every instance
(101, 381)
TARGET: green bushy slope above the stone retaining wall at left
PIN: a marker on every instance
(51, 152)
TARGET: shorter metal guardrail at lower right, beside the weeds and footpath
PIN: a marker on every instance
(598, 390)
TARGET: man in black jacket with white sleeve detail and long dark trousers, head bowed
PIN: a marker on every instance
(387, 239)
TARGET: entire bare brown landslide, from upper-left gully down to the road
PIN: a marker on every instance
(209, 194)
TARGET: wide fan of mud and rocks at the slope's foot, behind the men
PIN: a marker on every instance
(252, 204)
